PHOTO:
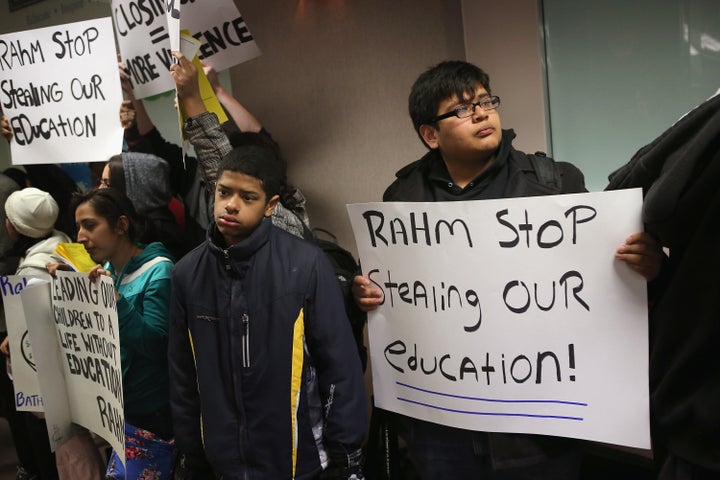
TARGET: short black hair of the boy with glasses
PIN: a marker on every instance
(443, 81)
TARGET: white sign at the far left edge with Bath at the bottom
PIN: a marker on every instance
(24, 370)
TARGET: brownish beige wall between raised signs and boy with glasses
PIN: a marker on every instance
(332, 86)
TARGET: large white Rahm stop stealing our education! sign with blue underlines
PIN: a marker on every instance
(510, 315)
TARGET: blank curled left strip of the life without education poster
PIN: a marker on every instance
(41, 325)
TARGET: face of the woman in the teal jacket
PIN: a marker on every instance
(100, 239)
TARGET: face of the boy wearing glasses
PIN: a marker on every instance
(477, 136)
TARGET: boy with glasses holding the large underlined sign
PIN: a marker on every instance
(472, 158)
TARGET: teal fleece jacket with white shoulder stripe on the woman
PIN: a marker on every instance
(143, 311)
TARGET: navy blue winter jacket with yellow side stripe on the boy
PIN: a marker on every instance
(264, 371)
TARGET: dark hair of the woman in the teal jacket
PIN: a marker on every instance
(111, 204)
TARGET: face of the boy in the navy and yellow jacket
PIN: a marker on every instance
(240, 205)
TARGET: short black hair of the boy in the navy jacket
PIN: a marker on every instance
(258, 161)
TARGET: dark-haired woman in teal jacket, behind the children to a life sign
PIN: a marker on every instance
(109, 227)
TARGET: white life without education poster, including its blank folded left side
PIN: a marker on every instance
(80, 373)
